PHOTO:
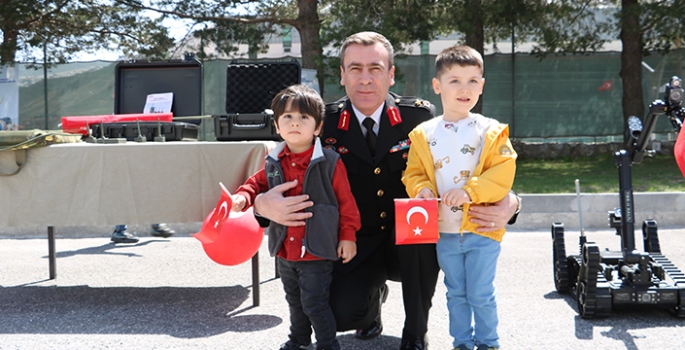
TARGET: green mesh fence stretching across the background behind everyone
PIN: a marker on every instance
(558, 98)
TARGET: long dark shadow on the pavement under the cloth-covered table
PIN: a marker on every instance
(178, 312)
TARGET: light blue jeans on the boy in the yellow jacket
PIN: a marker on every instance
(469, 262)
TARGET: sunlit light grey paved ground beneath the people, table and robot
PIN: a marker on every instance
(166, 294)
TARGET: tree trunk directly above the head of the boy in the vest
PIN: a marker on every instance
(309, 25)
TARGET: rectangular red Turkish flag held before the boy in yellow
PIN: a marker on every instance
(416, 221)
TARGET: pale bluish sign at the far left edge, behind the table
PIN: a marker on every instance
(9, 97)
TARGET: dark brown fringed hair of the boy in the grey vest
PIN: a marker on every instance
(303, 99)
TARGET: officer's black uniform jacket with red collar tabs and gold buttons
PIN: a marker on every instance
(375, 182)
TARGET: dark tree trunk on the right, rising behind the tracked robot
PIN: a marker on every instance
(631, 61)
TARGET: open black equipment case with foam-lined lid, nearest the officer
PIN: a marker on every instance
(250, 87)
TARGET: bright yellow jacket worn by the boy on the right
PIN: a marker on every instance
(490, 182)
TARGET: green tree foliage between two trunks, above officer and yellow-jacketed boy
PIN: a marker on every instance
(559, 27)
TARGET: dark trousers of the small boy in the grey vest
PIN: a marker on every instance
(307, 288)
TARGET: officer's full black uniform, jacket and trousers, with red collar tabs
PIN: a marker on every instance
(375, 183)
